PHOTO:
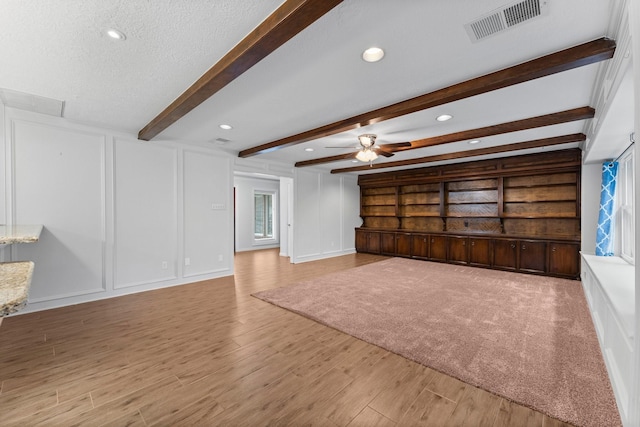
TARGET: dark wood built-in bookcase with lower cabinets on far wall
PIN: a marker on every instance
(518, 213)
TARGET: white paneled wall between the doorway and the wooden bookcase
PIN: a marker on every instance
(326, 212)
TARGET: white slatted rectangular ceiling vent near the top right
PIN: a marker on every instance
(505, 17)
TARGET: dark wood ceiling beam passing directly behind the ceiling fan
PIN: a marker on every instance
(566, 116)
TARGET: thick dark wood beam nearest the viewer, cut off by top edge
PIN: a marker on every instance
(288, 20)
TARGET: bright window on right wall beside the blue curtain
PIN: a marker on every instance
(625, 228)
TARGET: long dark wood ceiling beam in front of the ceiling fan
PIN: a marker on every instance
(584, 54)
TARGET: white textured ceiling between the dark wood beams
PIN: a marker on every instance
(58, 49)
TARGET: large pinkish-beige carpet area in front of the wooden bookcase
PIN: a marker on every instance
(529, 339)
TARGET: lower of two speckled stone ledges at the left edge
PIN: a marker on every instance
(15, 280)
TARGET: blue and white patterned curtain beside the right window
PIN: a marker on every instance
(604, 235)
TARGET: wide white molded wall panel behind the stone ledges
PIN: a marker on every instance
(58, 181)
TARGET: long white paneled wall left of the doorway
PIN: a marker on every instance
(119, 215)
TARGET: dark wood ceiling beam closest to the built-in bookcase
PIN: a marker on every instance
(537, 143)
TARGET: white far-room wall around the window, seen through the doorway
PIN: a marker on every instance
(245, 187)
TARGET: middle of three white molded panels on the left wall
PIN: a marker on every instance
(145, 203)
